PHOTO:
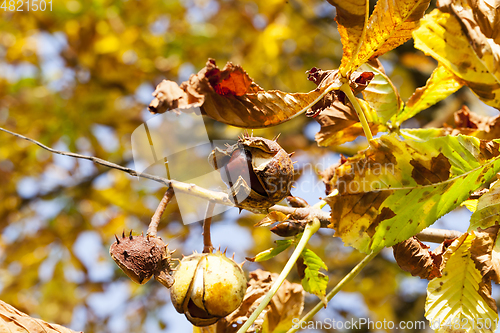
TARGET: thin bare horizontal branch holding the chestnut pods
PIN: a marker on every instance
(305, 214)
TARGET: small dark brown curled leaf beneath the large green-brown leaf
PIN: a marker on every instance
(414, 257)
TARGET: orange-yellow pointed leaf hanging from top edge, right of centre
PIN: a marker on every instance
(389, 26)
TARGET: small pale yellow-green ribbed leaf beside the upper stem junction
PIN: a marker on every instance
(381, 94)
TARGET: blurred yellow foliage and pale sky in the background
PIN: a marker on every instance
(79, 78)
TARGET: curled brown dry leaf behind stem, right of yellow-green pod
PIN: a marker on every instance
(287, 304)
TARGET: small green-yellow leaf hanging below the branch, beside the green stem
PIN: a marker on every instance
(314, 281)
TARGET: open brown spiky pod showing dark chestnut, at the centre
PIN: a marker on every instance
(258, 171)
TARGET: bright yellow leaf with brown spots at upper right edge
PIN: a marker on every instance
(440, 35)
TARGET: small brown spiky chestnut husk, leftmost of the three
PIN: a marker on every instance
(142, 257)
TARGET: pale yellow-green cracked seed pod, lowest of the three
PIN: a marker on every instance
(208, 286)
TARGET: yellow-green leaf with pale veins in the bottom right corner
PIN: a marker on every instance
(455, 300)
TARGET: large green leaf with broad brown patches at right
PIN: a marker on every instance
(396, 188)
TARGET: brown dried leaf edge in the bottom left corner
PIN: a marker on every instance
(15, 321)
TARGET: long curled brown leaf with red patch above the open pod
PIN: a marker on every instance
(231, 97)
